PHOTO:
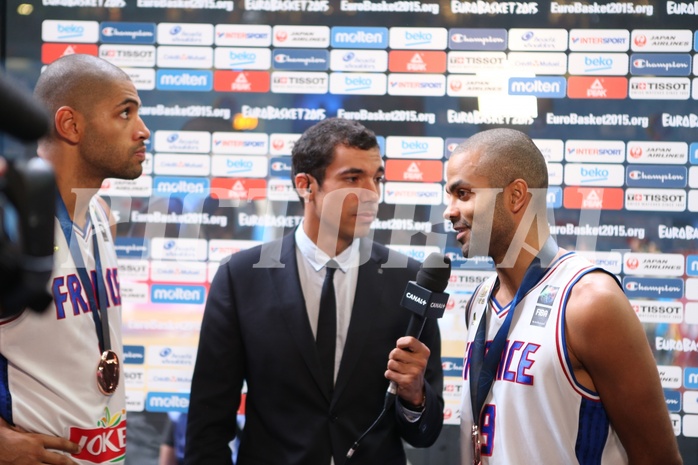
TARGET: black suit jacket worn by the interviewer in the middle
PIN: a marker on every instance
(256, 329)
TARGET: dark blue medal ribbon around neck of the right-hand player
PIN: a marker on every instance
(484, 366)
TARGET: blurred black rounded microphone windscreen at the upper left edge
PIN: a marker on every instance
(21, 115)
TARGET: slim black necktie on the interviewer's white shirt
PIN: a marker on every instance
(326, 339)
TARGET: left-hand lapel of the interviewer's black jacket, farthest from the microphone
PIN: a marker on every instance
(293, 311)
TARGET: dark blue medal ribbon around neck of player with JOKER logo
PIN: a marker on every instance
(99, 311)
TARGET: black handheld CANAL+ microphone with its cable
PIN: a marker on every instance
(425, 299)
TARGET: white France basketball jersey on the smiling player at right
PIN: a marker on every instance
(536, 412)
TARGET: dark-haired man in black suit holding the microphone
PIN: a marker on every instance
(260, 323)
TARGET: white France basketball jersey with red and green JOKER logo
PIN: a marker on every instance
(48, 361)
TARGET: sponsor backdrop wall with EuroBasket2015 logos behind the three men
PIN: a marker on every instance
(607, 90)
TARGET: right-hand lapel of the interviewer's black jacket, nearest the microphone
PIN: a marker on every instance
(368, 284)
